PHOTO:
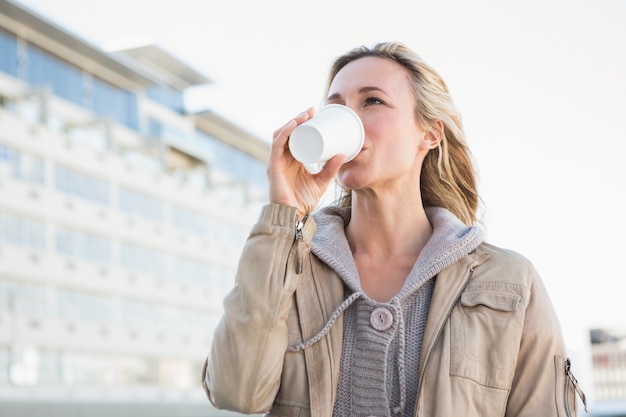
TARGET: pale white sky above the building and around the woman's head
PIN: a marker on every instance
(541, 85)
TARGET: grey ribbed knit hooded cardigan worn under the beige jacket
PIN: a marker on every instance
(379, 369)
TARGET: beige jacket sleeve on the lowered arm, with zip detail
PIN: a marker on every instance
(543, 384)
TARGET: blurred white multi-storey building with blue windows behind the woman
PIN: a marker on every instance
(122, 217)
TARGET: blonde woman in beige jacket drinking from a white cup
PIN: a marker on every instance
(390, 303)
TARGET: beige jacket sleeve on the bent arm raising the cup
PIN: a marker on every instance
(243, 369)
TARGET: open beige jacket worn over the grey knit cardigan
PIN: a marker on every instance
(492, 346)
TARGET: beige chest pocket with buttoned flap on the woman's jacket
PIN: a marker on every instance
(486, 328)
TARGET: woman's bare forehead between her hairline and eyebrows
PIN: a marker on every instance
(370, 71)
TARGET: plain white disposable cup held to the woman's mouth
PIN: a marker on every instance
(334, 130)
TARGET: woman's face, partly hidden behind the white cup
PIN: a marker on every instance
(379, 91)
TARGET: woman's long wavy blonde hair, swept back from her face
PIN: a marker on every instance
(448, 177)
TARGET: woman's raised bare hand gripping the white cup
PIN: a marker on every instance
(289, 182)
